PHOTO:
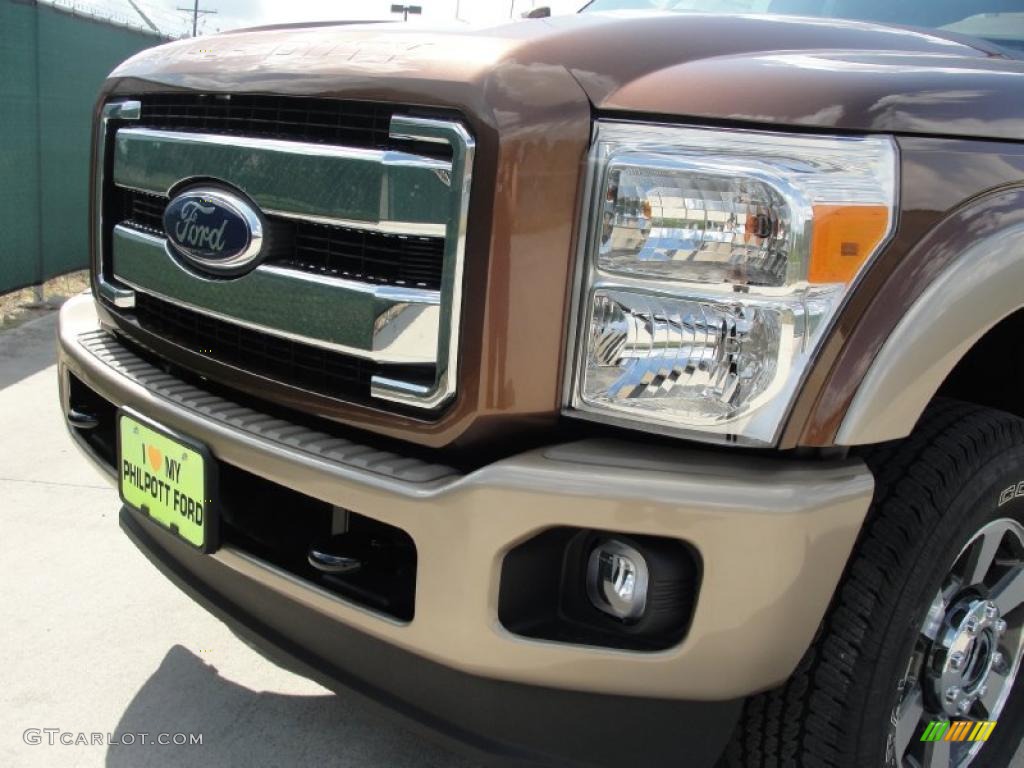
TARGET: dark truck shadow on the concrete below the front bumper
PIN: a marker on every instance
(246, 728)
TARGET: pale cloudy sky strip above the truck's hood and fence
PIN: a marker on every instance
(234, 14)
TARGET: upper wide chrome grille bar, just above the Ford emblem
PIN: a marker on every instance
(367, 189)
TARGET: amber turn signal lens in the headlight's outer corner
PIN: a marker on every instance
(844, 238)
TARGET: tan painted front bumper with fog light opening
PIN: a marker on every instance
(775, 537)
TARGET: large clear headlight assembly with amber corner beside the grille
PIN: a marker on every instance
(713, 264)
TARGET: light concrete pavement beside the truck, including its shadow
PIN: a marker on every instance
(96, 641)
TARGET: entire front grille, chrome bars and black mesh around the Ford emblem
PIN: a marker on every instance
(364, 285)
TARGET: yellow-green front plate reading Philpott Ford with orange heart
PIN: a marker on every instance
(168, 478)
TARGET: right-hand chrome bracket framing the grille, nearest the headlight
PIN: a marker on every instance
(463, 153)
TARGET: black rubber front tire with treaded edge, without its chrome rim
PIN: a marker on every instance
(933, 492)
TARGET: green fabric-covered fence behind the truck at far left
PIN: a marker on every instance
(52, 66)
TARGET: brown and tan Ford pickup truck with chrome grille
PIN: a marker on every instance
(633, 388)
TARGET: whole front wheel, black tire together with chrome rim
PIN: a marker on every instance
(928, 624)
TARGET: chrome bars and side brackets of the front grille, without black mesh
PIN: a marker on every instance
(382, 192)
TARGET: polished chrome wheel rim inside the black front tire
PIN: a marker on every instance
(967, 654)
